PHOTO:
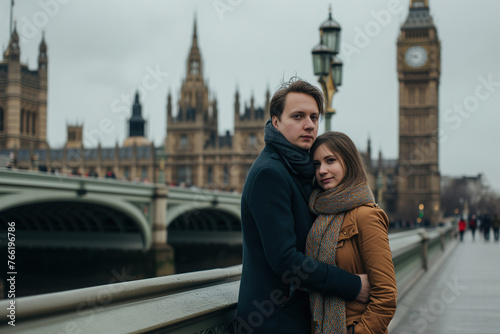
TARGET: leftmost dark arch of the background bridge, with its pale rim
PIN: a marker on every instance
(47, 220)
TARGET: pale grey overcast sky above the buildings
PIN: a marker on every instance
(100, 52)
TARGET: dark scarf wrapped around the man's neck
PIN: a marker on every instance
(297, 160)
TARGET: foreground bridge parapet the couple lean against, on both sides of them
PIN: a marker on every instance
(199, 302)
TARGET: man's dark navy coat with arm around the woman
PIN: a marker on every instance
(275, 221)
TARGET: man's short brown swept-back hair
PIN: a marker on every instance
(295, 85)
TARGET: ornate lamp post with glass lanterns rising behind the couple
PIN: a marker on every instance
(326, 64)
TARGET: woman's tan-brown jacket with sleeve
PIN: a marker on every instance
(363, 248)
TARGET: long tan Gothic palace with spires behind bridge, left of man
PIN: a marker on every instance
(193, 154)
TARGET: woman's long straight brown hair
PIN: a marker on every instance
(354, 167)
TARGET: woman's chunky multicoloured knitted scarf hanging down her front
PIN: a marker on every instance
(328, 312)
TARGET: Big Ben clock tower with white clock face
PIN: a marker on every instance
(419, 69)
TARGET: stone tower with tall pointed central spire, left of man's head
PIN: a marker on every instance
(193, 131)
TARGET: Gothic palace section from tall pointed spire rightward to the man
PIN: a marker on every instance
(197, 154)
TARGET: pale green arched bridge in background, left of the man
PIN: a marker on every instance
(54, 211)
